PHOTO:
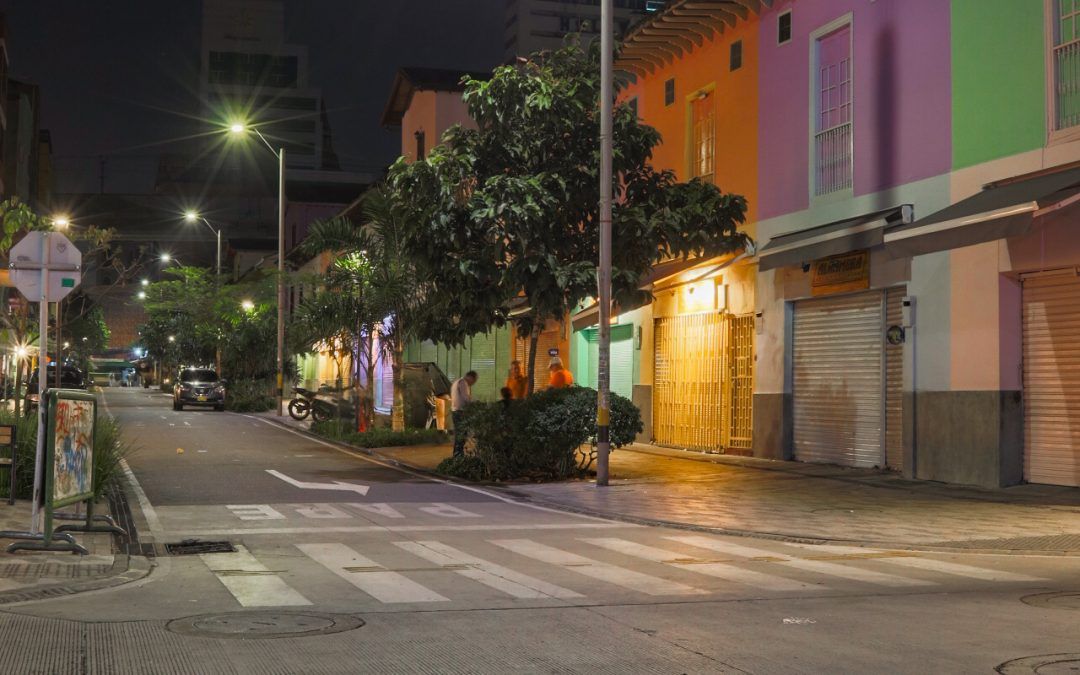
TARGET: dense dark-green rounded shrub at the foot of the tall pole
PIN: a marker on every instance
(549, 436)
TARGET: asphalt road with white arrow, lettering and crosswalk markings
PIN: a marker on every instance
(454, 579)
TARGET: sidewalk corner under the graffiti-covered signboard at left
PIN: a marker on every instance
(33, 575)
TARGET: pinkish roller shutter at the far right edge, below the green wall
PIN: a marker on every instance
(1052, 380)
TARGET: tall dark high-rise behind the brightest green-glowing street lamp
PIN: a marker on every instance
(250, 74)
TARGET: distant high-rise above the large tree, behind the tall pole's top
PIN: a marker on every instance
(535, 25)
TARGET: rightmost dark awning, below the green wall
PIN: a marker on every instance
(1003, 209)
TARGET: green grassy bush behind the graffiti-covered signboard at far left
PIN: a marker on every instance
(110, 450)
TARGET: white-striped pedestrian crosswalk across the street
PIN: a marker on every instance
(576, 571)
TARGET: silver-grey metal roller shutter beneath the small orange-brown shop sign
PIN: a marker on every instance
(839, 381)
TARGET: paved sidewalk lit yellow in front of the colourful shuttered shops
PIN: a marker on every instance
(808, 502)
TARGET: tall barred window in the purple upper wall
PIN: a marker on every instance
(833, 112)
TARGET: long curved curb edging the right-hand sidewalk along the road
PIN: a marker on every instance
(619, 518)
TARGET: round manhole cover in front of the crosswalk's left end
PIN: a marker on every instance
(265, 625)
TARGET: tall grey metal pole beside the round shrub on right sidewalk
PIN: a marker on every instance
(604, 274)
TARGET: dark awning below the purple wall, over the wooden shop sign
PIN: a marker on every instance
(865, 232)
